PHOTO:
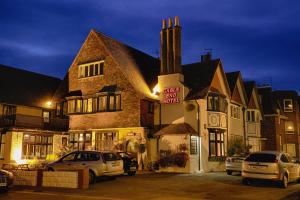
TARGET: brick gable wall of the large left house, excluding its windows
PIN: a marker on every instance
(129, 116)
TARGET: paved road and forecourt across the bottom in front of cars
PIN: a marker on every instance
(165, 186)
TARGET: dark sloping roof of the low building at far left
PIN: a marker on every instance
(21, 87)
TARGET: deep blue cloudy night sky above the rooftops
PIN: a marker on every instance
(261, 38)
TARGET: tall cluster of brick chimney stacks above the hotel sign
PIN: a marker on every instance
(170, 47)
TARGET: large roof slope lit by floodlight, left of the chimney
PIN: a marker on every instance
(139, 67)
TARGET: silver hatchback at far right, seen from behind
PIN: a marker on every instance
(270, 165)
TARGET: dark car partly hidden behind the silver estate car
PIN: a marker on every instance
(130, 163)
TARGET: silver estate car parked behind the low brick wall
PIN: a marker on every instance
(99, 163)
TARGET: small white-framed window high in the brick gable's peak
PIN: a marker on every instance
(91, 69)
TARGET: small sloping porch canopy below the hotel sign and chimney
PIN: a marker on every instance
(176, 129)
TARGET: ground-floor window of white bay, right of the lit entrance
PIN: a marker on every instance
(216, 144)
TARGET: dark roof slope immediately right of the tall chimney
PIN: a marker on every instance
(198, 77)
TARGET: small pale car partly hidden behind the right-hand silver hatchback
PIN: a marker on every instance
(234, 164)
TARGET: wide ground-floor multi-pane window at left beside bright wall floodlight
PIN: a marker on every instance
(36, 146)
